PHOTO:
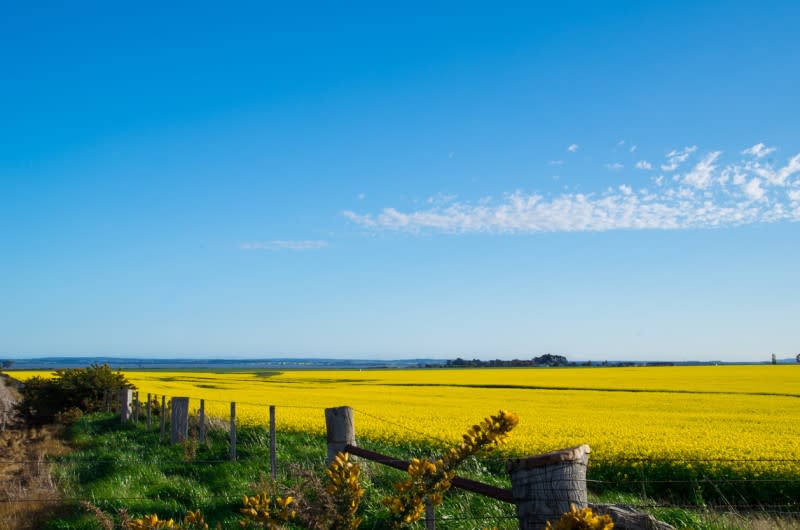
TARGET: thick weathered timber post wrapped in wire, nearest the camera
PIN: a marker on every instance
(545, 486)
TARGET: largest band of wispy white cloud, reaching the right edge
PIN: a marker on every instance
(710, 194)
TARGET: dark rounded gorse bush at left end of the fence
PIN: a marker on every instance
(81, 389)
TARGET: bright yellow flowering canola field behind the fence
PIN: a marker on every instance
(708, 412)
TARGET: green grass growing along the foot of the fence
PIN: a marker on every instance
(128, 467)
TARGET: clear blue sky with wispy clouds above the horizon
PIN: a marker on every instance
(601, 180)
